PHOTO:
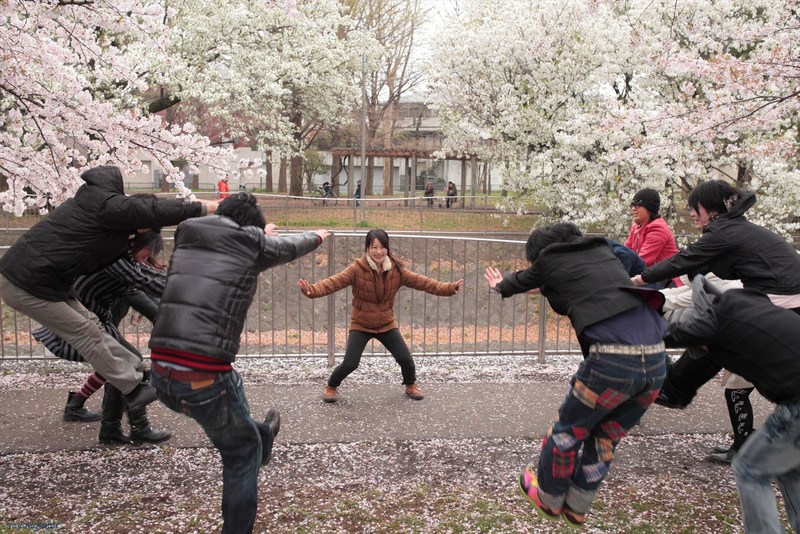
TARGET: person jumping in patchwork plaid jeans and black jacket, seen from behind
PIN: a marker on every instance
(620, 334)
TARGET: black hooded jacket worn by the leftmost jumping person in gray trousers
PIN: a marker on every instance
(86, 233)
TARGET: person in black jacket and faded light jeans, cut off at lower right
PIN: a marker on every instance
(748, 335)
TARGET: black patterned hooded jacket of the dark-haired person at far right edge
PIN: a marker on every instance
(734, 248)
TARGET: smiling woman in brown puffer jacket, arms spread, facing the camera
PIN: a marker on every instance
(376, 277)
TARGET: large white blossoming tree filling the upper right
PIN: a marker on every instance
(582, 103)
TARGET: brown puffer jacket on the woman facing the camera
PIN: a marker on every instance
(373, 293)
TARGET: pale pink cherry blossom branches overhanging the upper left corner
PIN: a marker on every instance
(71, 78)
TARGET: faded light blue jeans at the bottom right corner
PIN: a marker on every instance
(772, 453)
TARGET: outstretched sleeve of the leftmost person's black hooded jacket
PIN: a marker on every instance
(124, 212)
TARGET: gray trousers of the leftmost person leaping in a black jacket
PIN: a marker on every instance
(79, 327)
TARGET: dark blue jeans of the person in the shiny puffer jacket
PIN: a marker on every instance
(244, 444)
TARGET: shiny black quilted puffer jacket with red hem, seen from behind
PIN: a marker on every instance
(211, 282)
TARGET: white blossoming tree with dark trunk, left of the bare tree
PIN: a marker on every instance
(275, 72)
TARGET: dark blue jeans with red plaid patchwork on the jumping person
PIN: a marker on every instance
(607, 396)
